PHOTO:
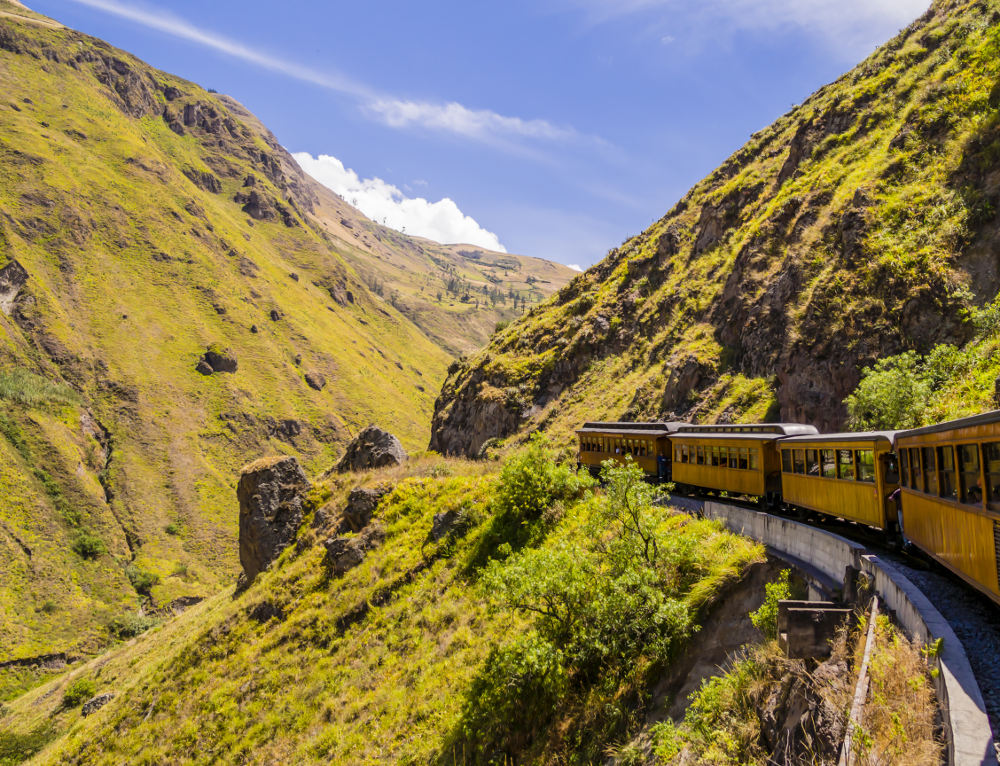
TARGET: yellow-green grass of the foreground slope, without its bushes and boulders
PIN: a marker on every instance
(218, 684)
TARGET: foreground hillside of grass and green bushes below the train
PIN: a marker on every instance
(414, 654)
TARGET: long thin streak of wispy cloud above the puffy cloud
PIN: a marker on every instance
(481, 125)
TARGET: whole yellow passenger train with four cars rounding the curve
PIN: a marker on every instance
(936, 488)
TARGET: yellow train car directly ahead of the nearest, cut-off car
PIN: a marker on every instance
(850, 476)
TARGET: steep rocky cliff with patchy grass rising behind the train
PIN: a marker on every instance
(862, 223)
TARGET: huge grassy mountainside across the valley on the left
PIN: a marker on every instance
(176, 298)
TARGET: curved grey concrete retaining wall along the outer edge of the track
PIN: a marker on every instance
(970, 742)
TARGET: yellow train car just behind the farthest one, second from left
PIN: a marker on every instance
(742, 460)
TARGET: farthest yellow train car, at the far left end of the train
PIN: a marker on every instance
(647, 444)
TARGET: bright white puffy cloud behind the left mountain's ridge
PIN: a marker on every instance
(441, 221)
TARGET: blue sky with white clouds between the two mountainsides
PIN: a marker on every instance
(552, 128)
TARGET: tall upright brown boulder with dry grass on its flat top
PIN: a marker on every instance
(271, 493)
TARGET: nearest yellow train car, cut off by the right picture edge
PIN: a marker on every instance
(950, 476)
